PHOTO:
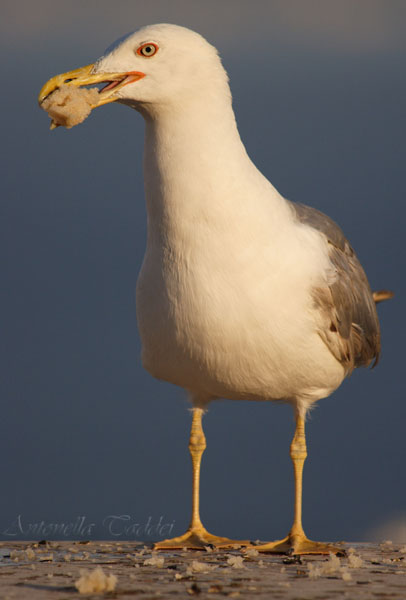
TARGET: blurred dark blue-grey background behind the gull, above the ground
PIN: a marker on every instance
(319, 92)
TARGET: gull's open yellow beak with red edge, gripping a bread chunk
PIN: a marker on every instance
(85, 76)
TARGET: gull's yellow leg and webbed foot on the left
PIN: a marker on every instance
(197, 537)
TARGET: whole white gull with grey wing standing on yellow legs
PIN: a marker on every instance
(242, 294)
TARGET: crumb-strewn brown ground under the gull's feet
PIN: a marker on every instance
(49, 570)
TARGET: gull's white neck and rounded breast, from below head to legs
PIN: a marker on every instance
(224, 295)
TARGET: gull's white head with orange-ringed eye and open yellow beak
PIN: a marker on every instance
(156, 66)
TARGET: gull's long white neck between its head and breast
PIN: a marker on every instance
(193, 163)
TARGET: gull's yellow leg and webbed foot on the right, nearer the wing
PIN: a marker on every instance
(296, 541)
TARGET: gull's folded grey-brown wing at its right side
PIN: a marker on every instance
(349, 322)
